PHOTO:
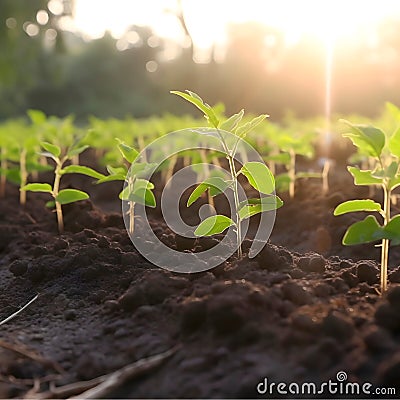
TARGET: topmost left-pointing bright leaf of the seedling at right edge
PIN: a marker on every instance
(367, 138)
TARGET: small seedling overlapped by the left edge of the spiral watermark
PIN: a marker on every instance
(137, 190)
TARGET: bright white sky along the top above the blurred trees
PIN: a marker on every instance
(207, 19)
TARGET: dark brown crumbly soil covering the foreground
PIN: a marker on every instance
(304, 309)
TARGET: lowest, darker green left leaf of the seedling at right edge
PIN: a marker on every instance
(365, 231)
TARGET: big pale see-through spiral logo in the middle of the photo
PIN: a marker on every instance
(159, 153)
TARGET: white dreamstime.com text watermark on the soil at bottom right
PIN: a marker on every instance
(338, 387)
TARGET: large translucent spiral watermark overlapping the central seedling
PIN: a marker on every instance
(206, 140)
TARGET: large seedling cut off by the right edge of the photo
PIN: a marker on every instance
(385, 149)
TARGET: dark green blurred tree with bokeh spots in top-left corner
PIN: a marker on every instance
(24, 28)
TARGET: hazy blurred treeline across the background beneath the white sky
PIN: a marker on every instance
(259, 71)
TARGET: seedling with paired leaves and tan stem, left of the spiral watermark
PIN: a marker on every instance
(62, 196)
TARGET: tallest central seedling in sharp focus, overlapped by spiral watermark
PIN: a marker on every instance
(257, 173)
